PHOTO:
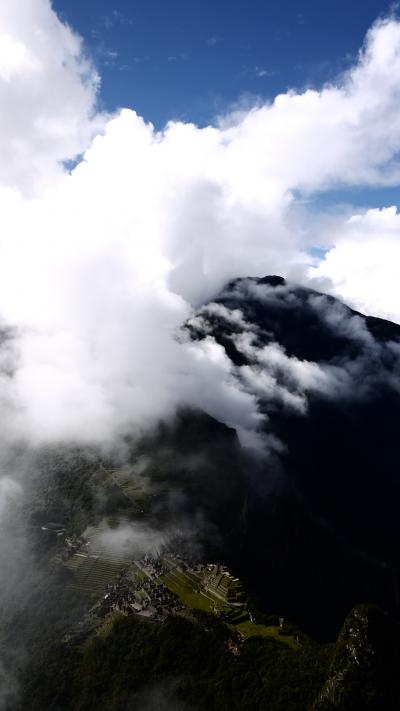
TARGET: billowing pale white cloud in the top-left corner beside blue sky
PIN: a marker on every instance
(47, 94)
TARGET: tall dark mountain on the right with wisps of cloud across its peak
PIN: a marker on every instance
(321, 531)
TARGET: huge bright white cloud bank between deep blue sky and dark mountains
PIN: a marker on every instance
(100, 266)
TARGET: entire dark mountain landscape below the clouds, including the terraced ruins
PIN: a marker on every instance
(302, 508)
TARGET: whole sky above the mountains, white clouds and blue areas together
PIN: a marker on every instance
(117, 223)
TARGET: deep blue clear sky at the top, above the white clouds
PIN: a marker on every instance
(190, 60)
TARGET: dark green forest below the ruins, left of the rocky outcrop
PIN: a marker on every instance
(103, 671)
